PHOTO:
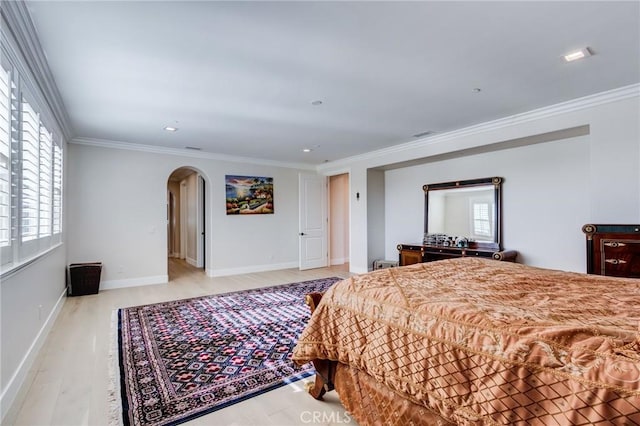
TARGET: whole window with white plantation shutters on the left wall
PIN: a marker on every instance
(31, 170)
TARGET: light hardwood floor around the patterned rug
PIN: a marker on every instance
(69, 382)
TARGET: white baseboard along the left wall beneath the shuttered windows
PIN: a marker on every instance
(14, 388)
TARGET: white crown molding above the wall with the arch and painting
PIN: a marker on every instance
(103, 143)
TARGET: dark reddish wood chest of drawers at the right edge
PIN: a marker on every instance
(613, 250)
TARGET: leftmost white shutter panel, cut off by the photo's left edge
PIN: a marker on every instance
(5, 158)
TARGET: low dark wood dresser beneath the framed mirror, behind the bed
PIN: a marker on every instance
(416, 253)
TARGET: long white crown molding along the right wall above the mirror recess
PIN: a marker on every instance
(573, 105)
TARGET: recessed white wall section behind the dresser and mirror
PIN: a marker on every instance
(545, 200)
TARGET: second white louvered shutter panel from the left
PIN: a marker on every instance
(30, 177)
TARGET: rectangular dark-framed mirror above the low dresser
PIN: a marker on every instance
(464, 213)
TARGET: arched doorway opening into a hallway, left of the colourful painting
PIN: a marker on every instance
(186, 224)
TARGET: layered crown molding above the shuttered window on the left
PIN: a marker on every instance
(19, 24)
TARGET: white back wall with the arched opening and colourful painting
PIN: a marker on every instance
(117, 211)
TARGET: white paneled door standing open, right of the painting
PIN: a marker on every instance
(313, 221)
